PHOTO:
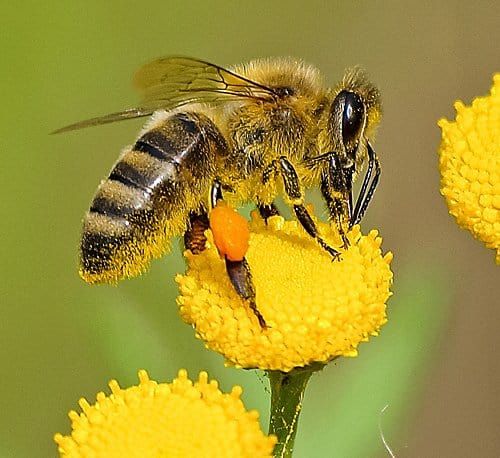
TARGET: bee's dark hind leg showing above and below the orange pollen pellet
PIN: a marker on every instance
(238, 271)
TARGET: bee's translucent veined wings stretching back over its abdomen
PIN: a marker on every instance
(170, 82)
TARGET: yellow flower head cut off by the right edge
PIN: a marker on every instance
(470, 166)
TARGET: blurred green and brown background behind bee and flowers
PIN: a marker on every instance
(435, 363)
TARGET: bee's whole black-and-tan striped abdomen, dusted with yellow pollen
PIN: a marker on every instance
(148, 195)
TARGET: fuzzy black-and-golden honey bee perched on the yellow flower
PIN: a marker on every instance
(248, 133)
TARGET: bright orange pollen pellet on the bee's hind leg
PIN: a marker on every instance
(230, 231)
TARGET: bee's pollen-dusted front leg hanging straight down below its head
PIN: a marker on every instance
(336, 186)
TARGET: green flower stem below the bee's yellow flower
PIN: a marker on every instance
(287, 392)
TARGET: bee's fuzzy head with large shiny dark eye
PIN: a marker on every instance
(354, 113)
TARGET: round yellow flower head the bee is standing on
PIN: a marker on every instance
(315, 309)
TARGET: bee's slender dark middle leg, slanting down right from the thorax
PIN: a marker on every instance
(295, 195)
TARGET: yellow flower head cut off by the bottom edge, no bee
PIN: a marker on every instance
(178, 419)
